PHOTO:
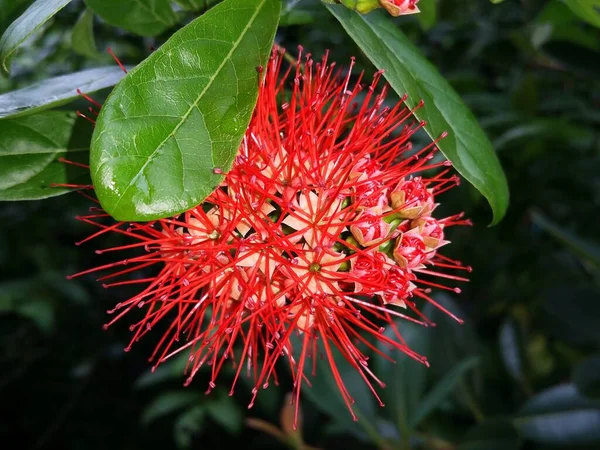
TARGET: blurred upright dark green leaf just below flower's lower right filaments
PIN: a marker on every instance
(405, 379)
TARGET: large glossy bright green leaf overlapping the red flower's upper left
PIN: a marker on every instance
(182, 113)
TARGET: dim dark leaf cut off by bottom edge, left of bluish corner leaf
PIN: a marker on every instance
(493, 434)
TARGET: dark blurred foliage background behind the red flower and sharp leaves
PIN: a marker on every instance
(521, 372)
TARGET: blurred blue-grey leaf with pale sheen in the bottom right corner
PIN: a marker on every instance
(560, 416)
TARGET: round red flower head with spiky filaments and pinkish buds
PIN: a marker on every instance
(321, 232)
